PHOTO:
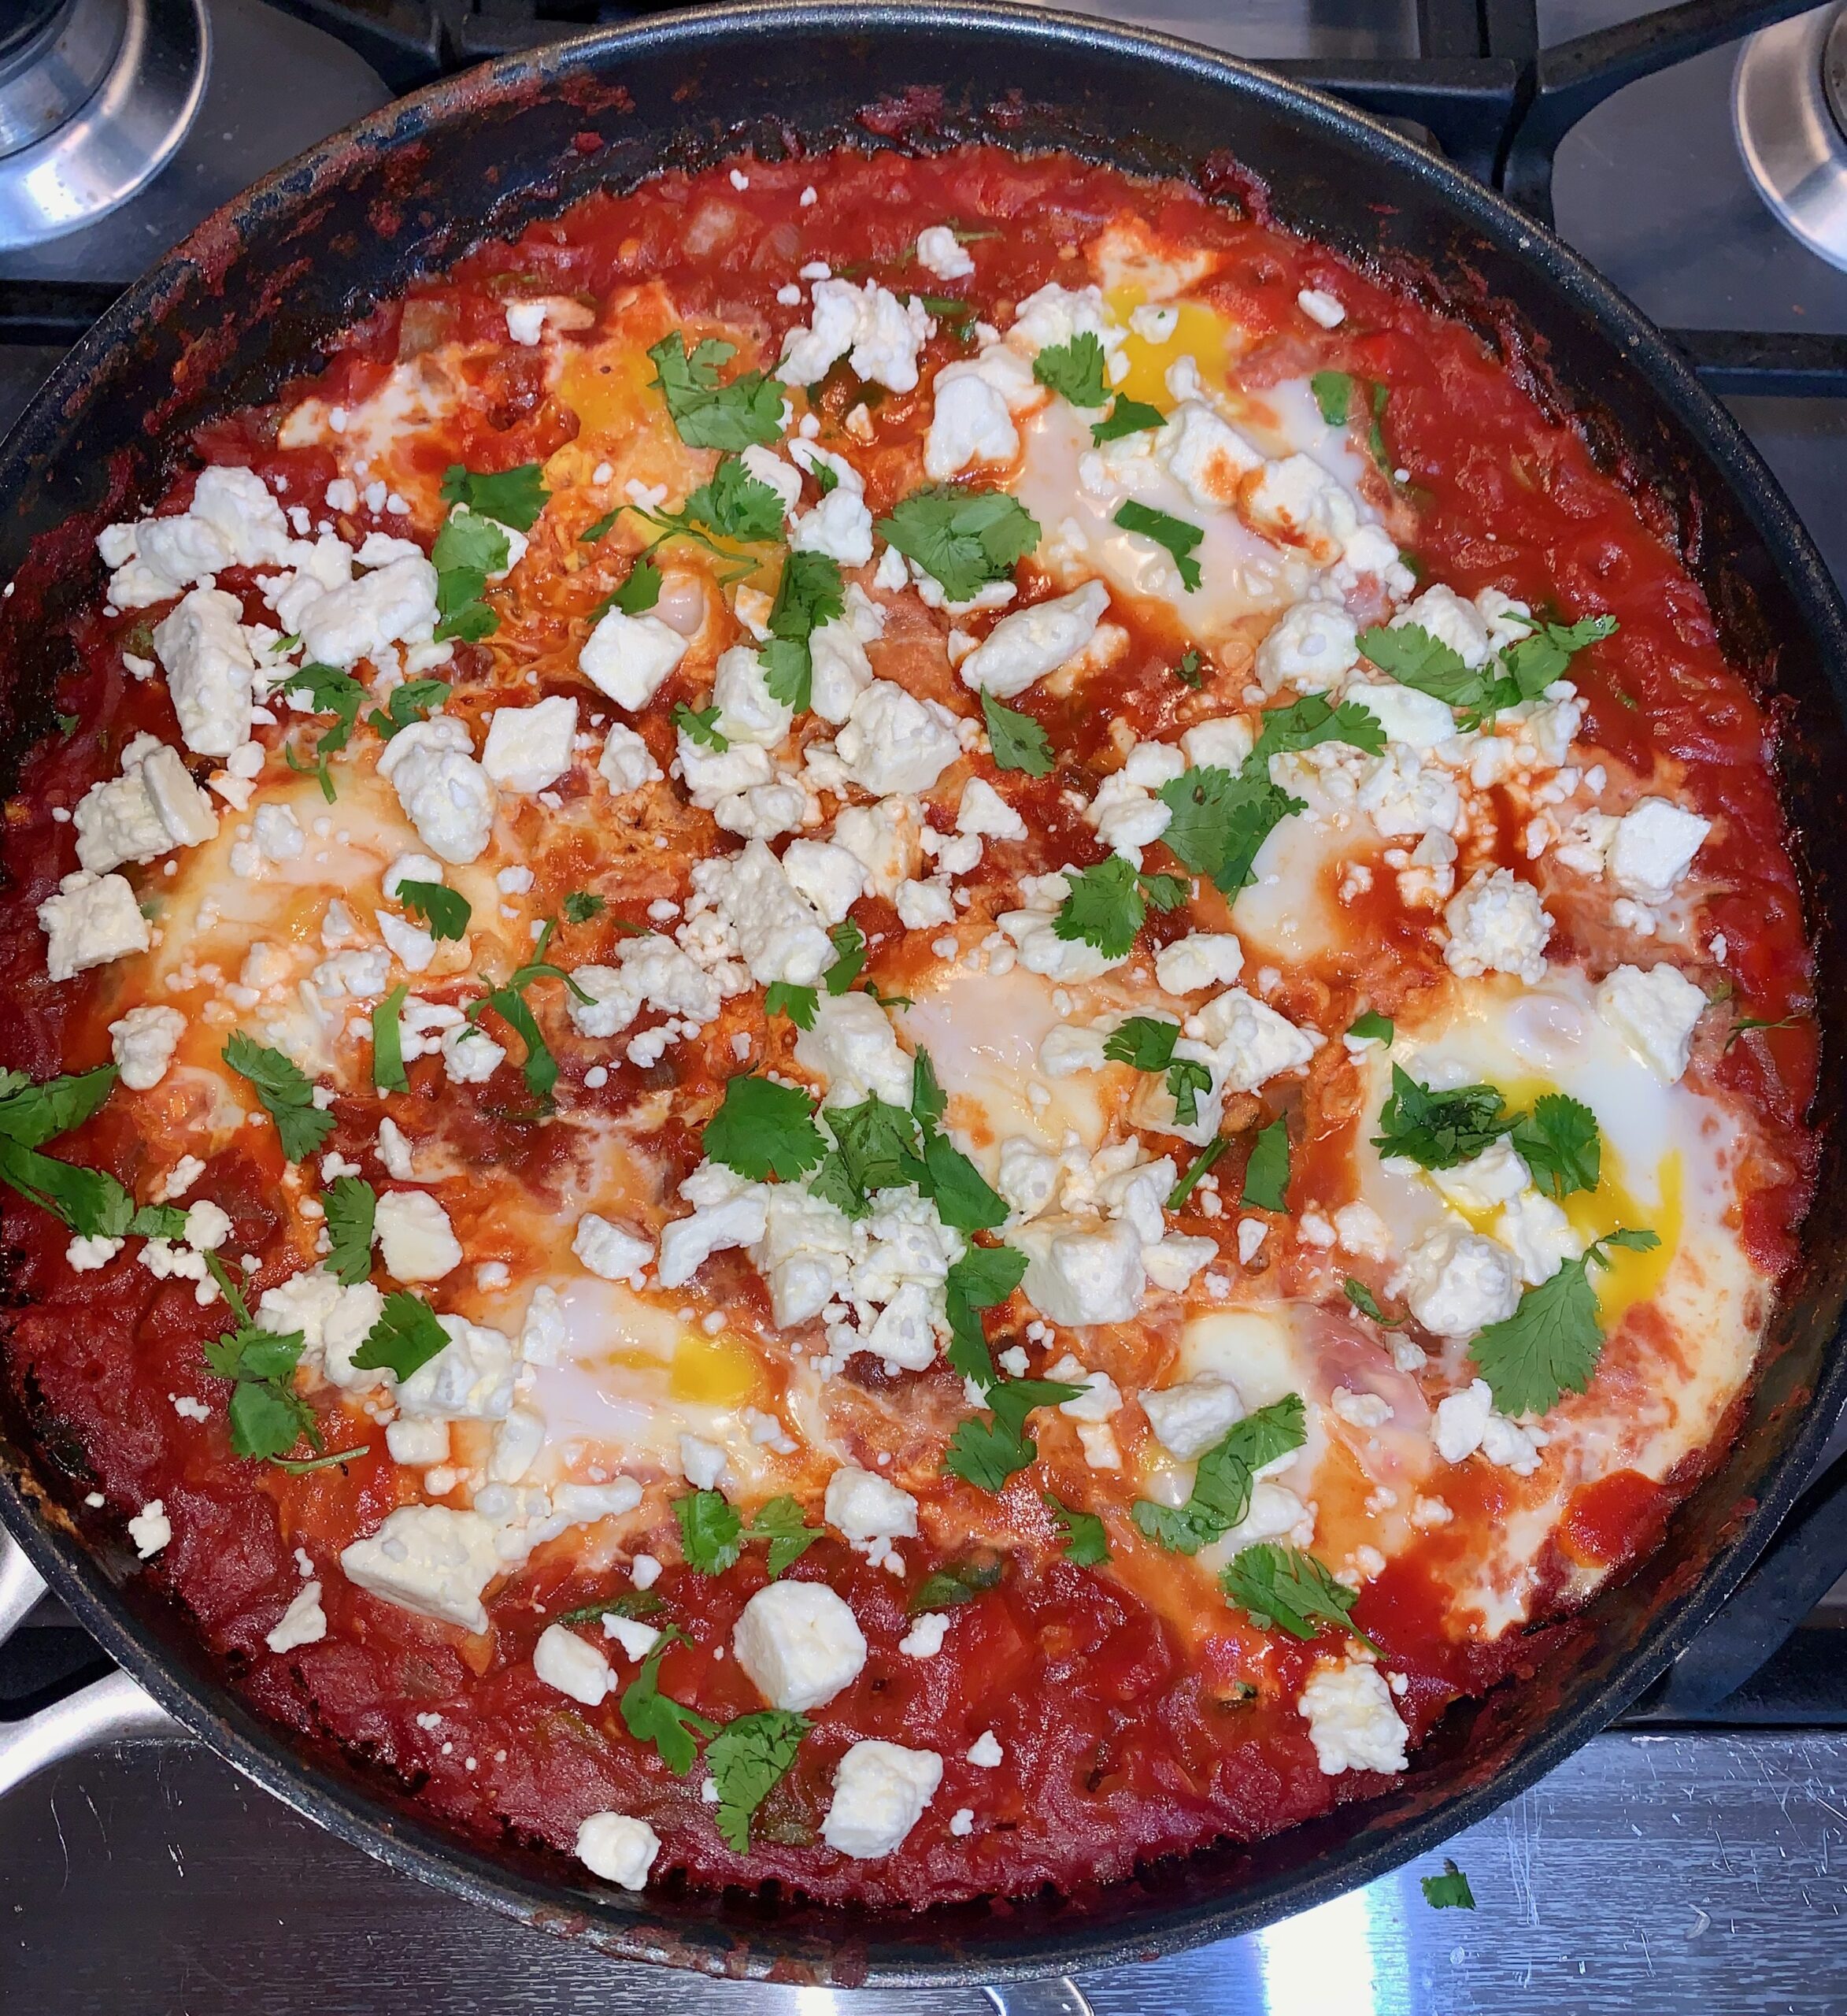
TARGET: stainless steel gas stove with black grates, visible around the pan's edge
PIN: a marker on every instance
(1691, 1856)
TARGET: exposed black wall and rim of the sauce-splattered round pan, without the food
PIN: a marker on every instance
(241, 307)
